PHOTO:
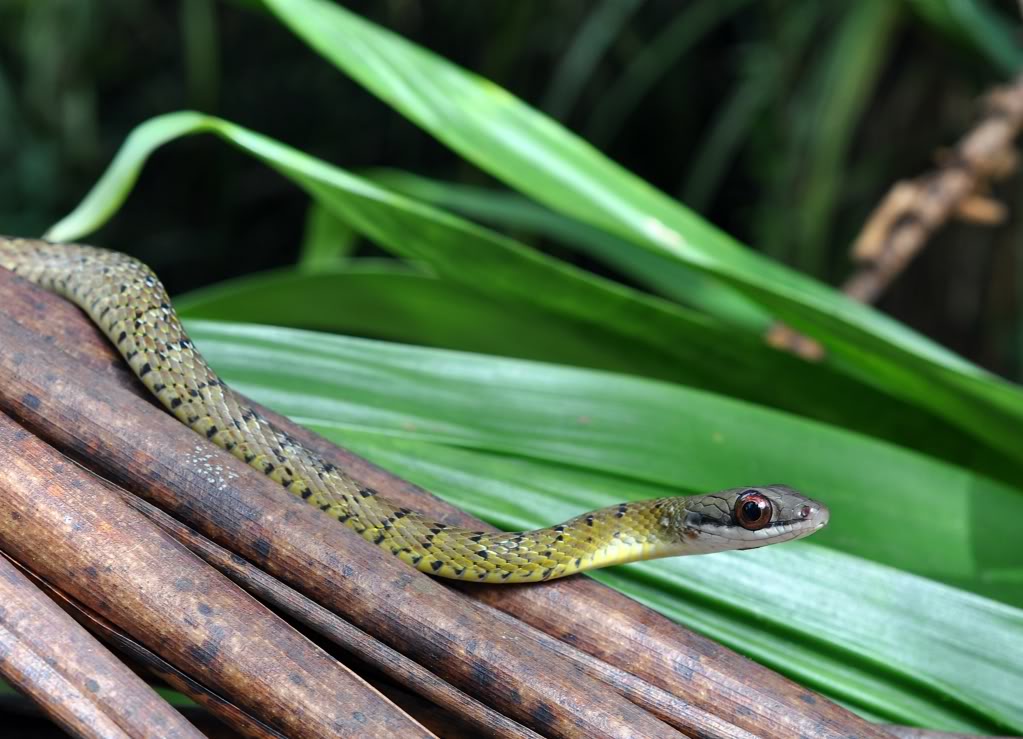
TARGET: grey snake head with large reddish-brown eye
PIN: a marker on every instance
(744, 518)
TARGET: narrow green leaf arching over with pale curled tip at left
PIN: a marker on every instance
(665, 340)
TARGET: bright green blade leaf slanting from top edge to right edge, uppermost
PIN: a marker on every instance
(537, 156)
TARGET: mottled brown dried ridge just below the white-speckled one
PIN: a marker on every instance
(61, 523)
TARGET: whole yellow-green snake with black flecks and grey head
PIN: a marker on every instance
(125, 299)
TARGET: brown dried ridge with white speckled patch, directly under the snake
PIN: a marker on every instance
(149, 453)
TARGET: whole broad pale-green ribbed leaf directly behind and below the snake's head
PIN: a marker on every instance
(525, 445)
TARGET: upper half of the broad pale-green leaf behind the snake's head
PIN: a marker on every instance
(663, 437)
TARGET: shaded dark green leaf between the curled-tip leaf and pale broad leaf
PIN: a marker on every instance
(387, 300)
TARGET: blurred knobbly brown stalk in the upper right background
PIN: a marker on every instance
(913, 211)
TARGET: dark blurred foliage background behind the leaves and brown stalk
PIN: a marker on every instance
(782, 122)
